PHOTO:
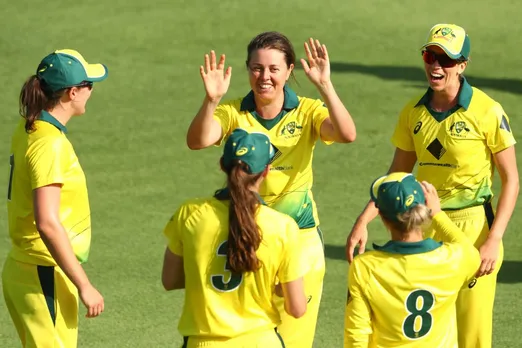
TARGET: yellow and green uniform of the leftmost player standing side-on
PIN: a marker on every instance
(31, 277)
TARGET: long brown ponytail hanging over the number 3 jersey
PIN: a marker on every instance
(244, 236)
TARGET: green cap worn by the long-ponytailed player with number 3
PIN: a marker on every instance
(252, 148)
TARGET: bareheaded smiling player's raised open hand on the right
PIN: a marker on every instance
(318, 67)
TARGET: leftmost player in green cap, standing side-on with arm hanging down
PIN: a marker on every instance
(48, 207)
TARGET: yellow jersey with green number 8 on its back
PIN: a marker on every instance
(404, 294)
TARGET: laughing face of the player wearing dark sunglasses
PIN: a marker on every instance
(442, 72)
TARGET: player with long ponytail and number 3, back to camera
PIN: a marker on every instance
(226, 251)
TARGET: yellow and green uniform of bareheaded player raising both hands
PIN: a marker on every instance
(288, 187)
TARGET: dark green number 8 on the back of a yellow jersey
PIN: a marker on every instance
(419, 321)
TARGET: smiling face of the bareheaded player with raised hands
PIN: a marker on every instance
(268, 72)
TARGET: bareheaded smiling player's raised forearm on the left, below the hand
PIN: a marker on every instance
(203, 128)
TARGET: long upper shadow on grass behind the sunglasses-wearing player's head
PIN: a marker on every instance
(416, 74)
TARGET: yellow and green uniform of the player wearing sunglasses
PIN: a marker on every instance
(455, 152)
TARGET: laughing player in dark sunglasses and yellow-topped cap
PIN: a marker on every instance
(458, 136)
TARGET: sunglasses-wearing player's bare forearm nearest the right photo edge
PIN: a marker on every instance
(505, 207)
